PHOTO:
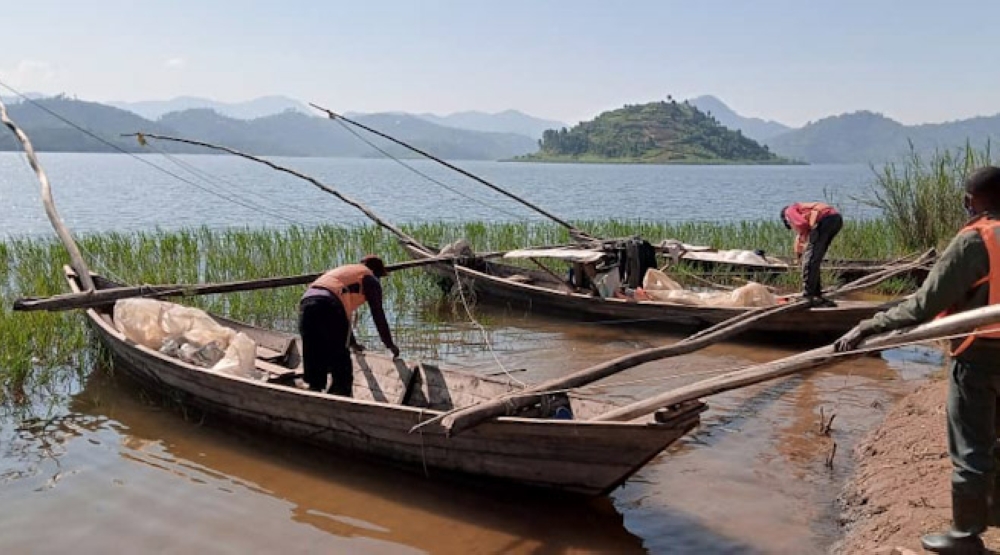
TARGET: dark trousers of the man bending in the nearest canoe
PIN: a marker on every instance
(325, 329)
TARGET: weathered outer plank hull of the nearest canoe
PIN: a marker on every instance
(589, 458)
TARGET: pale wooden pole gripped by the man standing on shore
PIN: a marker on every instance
(963, 322)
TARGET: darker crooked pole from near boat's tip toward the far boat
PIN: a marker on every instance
(464, 418)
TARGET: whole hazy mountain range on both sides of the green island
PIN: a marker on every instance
(285, 126)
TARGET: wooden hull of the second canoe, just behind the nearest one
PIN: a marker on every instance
(542, 292)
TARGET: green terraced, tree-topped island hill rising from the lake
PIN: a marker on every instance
(666, 132)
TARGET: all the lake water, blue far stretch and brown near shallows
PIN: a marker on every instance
(102, 468)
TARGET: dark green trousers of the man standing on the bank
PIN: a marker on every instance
(973, 389)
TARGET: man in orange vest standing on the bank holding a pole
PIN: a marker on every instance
(967, 276)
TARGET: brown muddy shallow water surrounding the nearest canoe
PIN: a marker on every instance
(112, 470)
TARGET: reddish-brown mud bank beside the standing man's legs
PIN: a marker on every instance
(901, 487)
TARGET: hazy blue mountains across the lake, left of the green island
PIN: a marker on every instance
(288, 133)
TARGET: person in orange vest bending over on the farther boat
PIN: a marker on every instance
(815, 225)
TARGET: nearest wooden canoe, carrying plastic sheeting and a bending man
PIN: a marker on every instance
(390, 397)
